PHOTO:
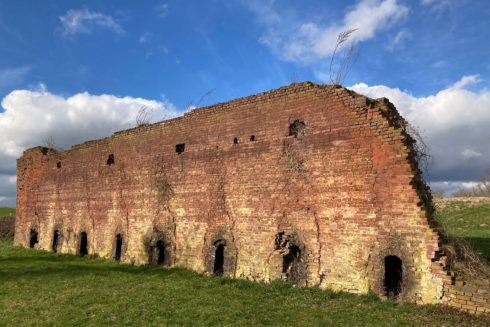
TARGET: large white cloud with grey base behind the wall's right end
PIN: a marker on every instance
(455, 124)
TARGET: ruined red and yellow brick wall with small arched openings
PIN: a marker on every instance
(308, 182)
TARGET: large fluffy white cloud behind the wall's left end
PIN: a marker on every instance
(32, 117)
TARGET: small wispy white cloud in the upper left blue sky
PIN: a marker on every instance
(85, 21)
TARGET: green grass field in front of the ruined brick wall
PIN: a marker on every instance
(39, 288)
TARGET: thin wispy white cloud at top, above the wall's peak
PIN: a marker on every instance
(312, 41)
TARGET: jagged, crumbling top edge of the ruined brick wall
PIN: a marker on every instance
(391, 113)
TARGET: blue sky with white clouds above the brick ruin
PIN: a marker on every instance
(95, 63)
